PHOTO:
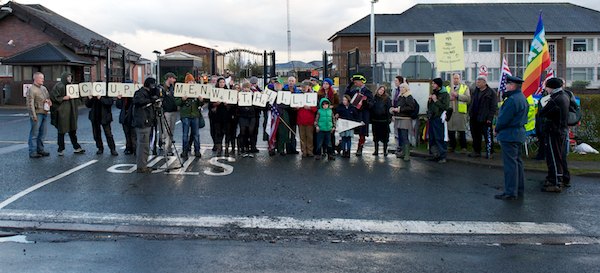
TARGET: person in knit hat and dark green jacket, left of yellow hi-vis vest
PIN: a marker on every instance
(438, 103)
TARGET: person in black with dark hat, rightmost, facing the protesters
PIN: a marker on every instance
(555, 116)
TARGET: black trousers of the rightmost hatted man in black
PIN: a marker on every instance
(556, 158)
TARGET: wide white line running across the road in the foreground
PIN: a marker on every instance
(282, 223)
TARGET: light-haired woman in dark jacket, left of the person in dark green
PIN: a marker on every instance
(403, 109)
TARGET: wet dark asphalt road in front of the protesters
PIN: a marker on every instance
(371, 188)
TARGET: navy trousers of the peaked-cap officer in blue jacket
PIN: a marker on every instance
(514, 177)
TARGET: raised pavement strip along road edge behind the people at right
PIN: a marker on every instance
(578, 168)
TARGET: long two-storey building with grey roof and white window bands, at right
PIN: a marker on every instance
(405, 42)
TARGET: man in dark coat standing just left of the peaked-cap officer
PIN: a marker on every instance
(482, 109)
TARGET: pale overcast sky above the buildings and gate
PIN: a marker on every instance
(144, 26)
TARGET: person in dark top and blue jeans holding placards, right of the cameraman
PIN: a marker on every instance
(190, 114)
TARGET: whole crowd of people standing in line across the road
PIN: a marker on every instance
(154, 109)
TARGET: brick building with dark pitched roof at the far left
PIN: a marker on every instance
(35, 38)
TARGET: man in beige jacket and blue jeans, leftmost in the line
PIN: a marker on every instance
(38, 105)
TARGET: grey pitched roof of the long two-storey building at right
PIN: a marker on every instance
(480, 18)
